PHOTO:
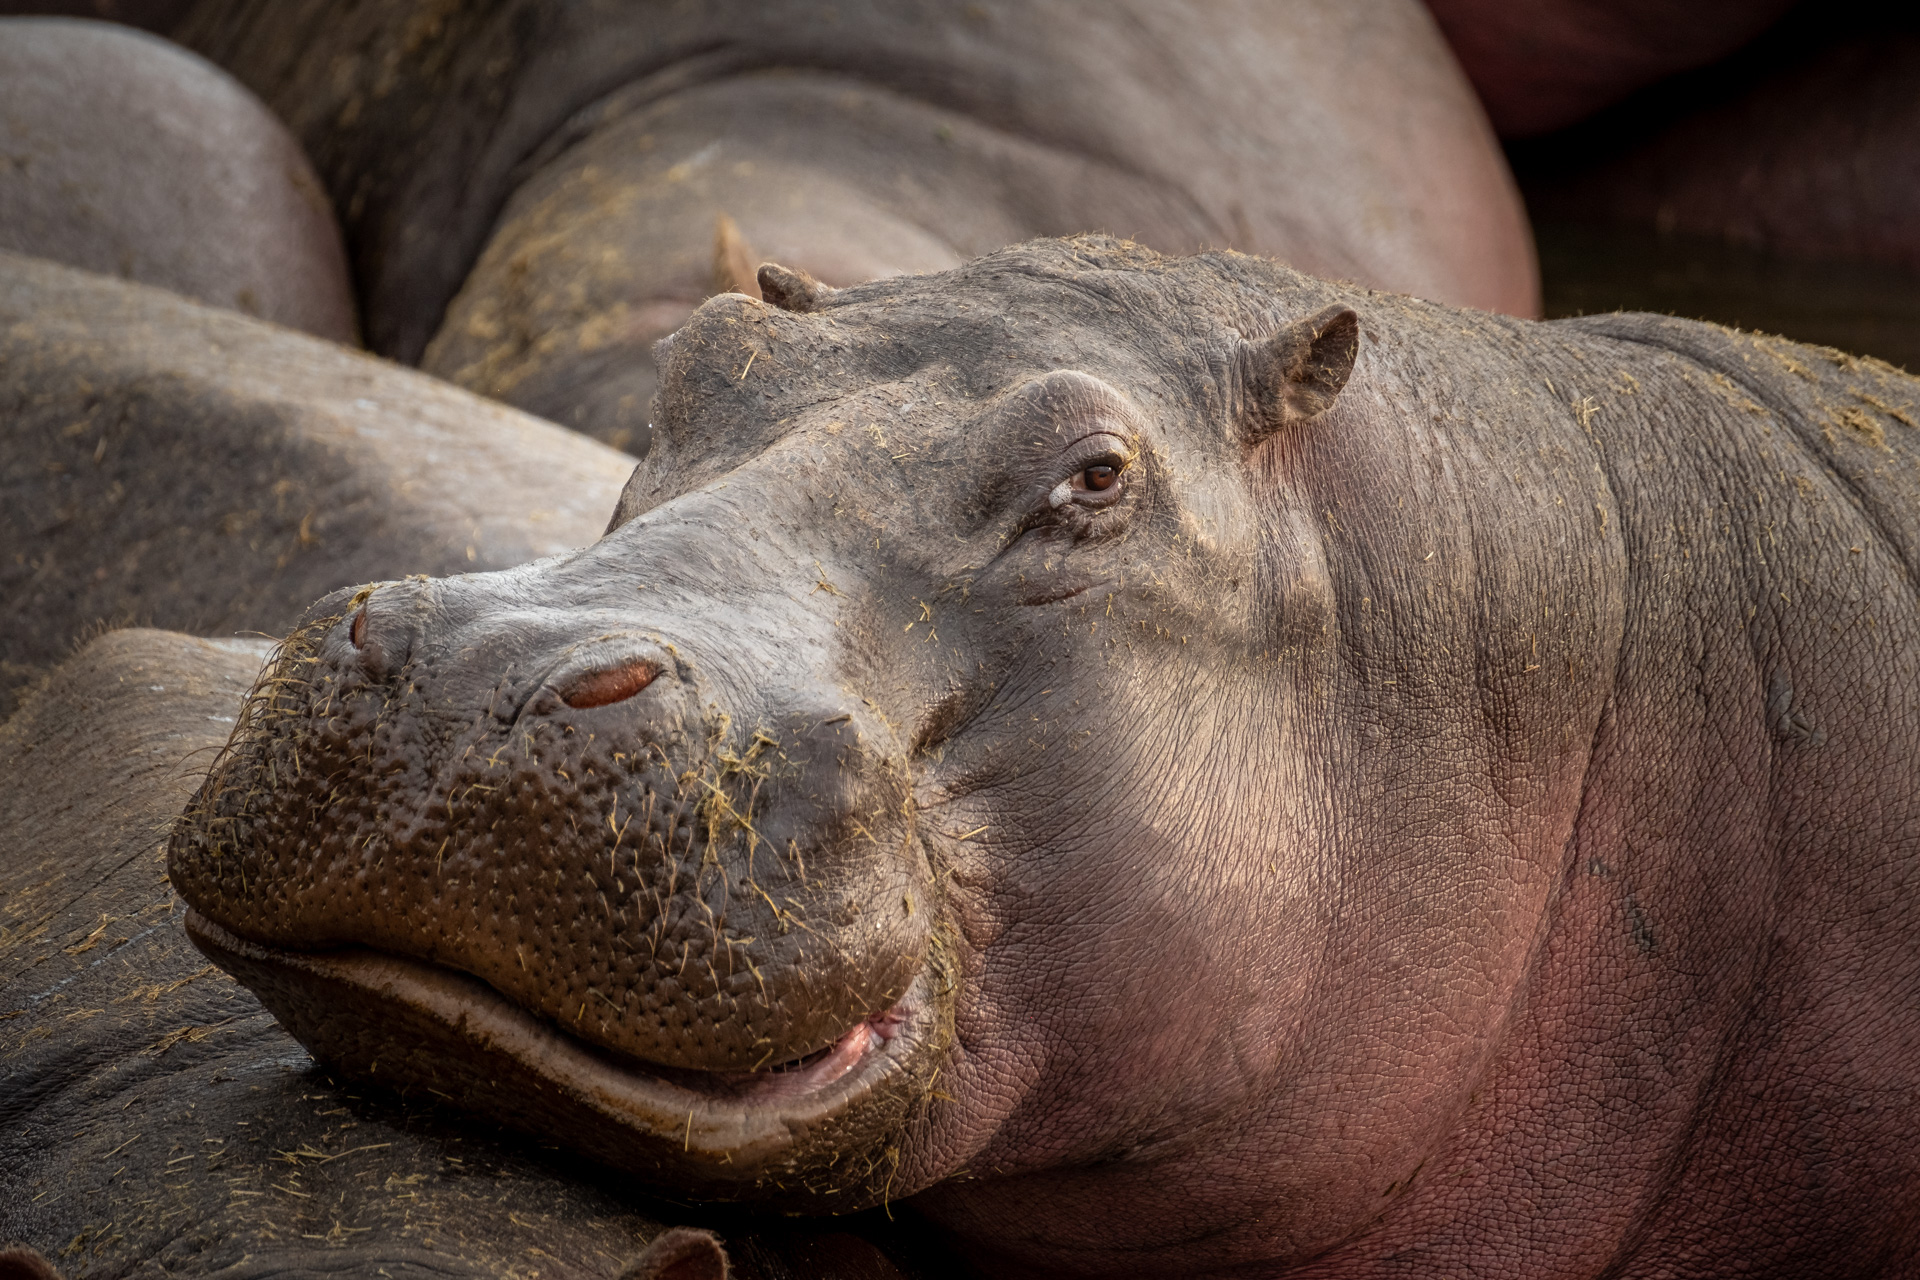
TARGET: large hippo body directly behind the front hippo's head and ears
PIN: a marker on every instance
(533, 189)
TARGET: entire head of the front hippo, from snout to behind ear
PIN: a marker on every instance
(946, 770)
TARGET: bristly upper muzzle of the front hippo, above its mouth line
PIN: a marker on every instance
(577, 811)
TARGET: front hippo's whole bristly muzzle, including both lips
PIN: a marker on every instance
(588, 907)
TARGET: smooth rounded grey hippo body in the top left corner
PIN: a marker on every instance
(132, 156)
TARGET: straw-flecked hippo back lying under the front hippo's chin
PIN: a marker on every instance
(156, 1122)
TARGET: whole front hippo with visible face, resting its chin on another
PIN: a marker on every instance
(1445, 799)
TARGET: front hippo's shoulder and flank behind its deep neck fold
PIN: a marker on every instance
(1683, 1016)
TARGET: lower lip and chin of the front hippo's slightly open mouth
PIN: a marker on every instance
(786, 1133)
